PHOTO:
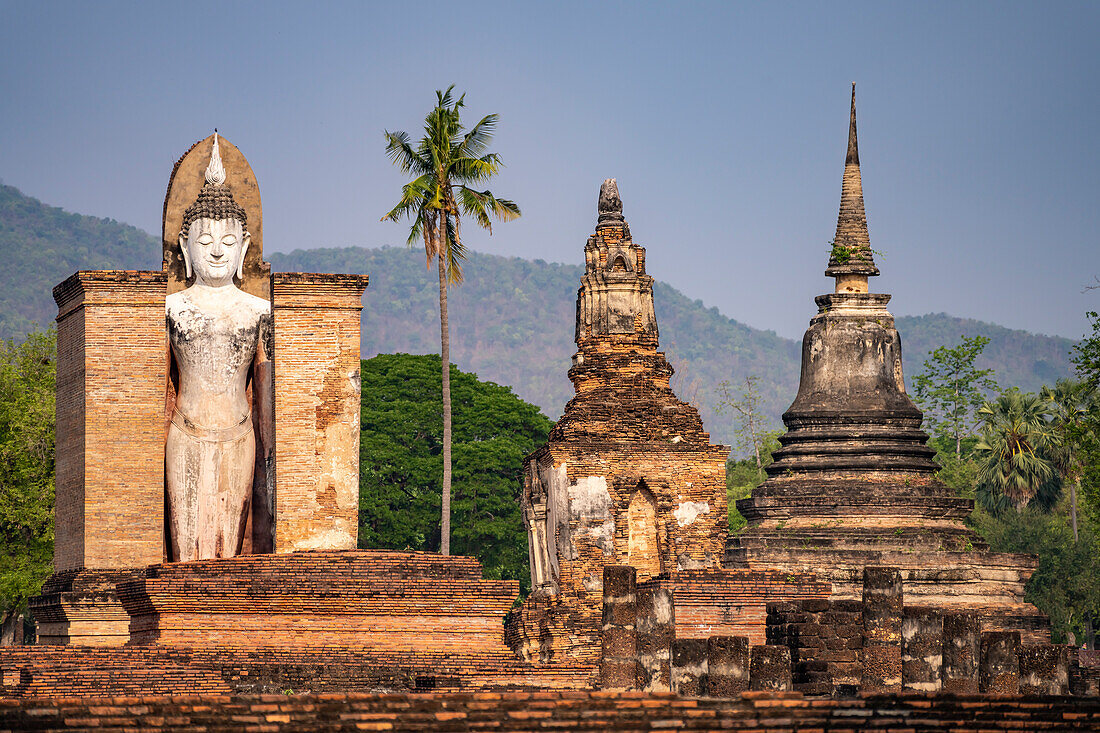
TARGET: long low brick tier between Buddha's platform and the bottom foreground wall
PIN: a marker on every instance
(86, 672)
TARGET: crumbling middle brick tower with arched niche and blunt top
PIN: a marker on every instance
(629, 476)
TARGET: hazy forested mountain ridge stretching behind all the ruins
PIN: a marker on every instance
(512, 320)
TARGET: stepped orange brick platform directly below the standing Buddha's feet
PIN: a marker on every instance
(377, 600)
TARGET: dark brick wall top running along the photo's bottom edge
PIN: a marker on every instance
(778, 713)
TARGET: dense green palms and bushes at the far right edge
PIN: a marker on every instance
(1026, 450)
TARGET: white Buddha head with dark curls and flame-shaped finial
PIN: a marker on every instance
(213, 237)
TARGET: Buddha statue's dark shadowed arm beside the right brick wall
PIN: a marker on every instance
(263, 392)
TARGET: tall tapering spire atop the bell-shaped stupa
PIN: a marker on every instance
(852, 247)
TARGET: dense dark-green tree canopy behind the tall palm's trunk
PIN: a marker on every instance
(401, 463)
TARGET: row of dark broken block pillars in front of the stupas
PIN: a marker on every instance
(824, 648)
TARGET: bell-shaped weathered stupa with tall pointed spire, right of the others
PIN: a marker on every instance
(854, 484)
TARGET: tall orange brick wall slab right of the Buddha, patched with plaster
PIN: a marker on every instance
(317, 411)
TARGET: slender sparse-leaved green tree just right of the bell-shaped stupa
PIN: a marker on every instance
(951, 389)
